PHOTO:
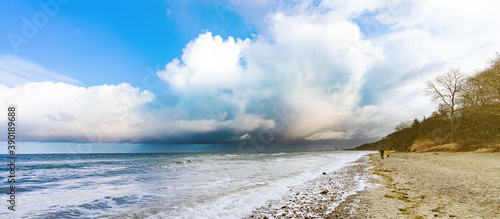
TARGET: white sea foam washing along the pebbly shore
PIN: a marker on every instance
(260, 181)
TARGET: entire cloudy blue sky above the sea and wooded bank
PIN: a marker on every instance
(230, 71)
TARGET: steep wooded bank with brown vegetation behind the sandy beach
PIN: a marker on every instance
(467, 116)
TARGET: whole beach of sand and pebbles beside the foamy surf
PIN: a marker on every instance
(406, 185)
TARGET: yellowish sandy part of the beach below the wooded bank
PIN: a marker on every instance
(434, 185)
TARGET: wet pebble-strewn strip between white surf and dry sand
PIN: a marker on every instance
(331, 195)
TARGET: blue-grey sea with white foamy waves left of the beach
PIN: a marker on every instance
(201, 185)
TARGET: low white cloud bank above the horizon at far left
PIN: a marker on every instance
(48, 111)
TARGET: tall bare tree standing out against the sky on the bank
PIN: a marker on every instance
(446, 89)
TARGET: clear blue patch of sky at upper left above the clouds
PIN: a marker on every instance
(108, 42)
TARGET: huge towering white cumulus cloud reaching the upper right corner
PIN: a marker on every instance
(344, 69)
